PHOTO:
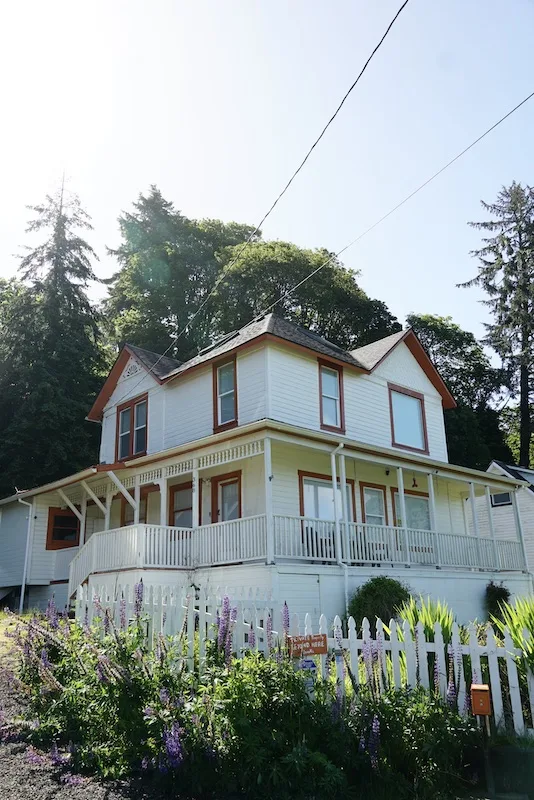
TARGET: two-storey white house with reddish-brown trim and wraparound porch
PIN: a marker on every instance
(222, 470)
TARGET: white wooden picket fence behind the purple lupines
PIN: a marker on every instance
(392, 657)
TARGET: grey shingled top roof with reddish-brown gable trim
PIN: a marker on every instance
(271, 326)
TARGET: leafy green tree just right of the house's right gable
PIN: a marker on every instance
(474, 432)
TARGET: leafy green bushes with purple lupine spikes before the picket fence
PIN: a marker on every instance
(110, 706)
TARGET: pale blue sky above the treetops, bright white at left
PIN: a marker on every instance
(217, 101)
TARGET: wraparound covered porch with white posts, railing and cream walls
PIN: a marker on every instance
(278, 497)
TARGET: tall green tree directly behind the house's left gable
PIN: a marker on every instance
(168, 265)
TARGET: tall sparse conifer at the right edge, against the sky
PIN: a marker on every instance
(506, 273)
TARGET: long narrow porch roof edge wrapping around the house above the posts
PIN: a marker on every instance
(290, 434)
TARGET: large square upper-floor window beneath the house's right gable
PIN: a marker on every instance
(408, 422)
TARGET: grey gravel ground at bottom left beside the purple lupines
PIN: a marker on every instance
(26, 774)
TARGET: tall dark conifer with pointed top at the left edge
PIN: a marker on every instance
(51, 361)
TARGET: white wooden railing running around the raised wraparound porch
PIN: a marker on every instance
(295, 539)
